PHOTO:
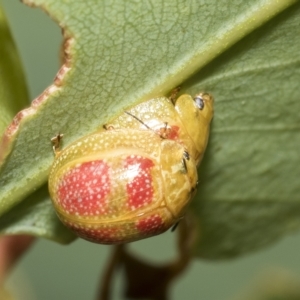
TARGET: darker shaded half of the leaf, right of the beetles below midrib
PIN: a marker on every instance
(249, 180)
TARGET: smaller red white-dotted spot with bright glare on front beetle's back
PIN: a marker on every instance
(139, 189)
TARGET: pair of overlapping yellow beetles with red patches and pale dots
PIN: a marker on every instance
(136, 178)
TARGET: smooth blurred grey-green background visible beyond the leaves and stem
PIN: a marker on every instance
(51, 271)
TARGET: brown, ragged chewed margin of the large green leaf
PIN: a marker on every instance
(12, 130)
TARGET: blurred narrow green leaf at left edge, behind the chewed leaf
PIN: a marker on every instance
(13, 92)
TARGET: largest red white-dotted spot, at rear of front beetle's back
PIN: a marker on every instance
(83, 189)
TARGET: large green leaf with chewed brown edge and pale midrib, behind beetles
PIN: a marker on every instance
(123, 52)
